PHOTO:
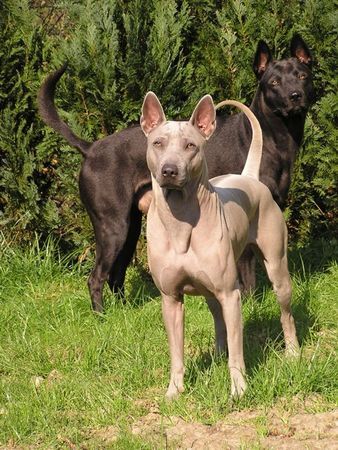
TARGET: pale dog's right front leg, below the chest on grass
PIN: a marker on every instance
(231, 307)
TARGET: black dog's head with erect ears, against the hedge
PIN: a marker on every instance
(286, 84)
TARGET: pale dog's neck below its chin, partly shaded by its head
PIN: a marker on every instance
(181, 210)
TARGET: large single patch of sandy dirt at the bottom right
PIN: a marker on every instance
(243, 430)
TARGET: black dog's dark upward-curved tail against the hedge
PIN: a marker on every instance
(49, 114)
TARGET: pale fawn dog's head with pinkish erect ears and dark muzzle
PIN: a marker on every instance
(175, 149)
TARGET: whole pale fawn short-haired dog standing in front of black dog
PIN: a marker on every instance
(197, 230)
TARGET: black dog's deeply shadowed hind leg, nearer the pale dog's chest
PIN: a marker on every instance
(118, 271)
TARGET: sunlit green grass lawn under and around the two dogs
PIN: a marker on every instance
(65, 372)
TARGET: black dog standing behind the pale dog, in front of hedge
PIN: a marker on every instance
(115, 185)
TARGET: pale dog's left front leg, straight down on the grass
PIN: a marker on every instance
(173, 316)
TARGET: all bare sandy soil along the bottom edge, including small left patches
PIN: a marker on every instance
(287, 426)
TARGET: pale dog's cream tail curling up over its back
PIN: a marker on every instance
(253, 161)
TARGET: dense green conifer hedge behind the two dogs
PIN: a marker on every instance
(119, 49)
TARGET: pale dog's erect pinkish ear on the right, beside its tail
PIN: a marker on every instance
(204, 117)
